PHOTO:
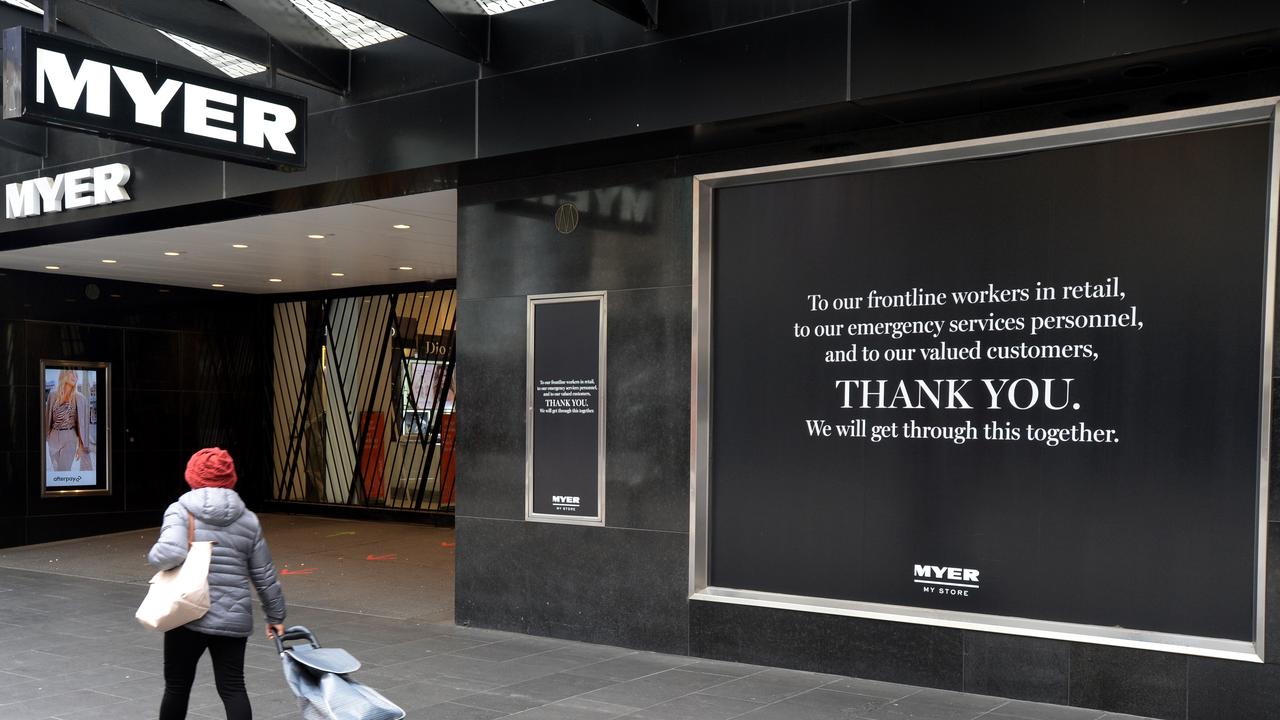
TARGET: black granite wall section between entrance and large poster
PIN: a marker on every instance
(625, 584)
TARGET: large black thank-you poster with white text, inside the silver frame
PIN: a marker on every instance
(1026, 386)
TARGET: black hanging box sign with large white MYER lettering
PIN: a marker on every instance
(51, 80)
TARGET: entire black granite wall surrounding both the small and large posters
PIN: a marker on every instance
(627, 584)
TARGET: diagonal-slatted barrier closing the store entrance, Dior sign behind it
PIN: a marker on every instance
(363, 402)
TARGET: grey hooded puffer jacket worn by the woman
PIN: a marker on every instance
(241, 558)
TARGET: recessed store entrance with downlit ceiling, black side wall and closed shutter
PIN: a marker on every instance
(314, 347)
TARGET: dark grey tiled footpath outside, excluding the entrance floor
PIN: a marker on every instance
(70, 650)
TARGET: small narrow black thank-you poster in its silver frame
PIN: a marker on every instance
(565, 467)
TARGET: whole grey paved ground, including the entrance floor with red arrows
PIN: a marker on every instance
(71, 650)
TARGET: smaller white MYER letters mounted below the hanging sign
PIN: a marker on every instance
(77, 189)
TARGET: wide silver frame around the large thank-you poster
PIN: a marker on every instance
(1254, 112)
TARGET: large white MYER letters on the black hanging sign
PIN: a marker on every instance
(205, 112)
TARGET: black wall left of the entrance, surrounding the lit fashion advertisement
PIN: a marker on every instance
(188, 372)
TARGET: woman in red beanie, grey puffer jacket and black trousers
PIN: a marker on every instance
(241, 558)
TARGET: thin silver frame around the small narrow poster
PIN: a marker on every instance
(532, 303)
